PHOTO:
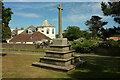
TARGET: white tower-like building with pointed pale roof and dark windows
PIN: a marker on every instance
(47, 29)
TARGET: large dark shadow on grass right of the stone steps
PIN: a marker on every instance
(97, 68)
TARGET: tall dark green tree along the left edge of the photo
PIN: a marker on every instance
(6, 17)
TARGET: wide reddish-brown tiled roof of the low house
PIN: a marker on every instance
(37, 36)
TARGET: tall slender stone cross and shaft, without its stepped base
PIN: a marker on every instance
(60, 21)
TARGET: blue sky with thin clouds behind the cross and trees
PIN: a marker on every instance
(73, 14)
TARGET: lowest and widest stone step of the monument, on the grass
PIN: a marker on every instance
(63, 68)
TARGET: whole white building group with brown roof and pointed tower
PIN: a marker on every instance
(33, 34)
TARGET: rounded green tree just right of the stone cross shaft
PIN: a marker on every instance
(72, 32)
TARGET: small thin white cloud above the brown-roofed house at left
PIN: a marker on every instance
(28, 15)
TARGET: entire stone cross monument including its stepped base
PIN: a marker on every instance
(60, 56)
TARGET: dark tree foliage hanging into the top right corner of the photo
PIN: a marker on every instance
(112, 9)
